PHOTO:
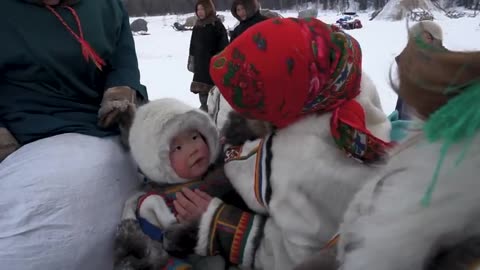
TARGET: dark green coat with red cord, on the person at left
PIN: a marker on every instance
(46, 85)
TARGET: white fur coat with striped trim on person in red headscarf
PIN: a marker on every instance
(300, 179)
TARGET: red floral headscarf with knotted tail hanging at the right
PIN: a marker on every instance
(318, 71)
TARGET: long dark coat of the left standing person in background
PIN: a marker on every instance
(207, 40)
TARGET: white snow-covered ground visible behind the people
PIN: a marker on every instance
(163, 54)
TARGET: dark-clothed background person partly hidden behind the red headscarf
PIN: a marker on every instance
(253, 16)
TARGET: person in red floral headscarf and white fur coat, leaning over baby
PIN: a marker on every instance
(329, 136)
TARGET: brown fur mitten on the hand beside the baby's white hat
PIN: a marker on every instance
(118, 108)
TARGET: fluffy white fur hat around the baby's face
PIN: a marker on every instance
(155, 125)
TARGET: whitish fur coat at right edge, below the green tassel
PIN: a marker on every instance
(387, 227)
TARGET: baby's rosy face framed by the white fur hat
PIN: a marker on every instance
(189, 155)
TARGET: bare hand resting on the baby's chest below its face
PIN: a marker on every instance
(190, 205)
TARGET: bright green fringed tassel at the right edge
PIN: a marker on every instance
(457, 121)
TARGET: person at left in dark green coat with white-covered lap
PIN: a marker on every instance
(69, 85)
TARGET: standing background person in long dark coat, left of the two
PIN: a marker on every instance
(209, 37)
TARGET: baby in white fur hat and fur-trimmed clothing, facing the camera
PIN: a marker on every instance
(175, 147)
